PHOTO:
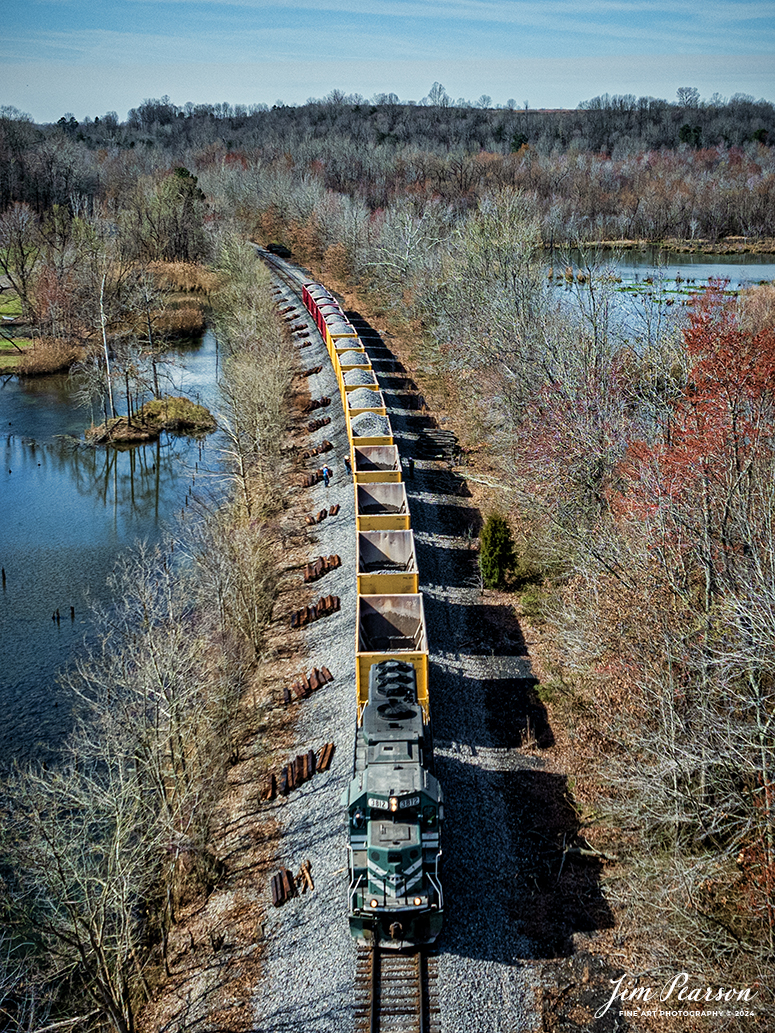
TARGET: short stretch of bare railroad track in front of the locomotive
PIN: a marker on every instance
(396, 992)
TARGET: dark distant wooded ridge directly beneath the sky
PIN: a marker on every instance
(619, 123)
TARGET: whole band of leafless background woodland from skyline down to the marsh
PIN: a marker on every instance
(616, 168)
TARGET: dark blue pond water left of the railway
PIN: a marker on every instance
(67, 513)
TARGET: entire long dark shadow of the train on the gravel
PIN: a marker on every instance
(520, 880)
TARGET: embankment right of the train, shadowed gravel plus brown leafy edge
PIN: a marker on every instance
(528, 918)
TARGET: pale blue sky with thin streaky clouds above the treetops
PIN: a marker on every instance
(89, 57)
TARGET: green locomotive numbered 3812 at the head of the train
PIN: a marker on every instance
(395, 809)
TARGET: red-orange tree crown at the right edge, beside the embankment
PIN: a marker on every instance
(694, 482)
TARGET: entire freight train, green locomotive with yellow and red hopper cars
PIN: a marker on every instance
(394, 803)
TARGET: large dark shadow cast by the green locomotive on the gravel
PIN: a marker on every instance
(532, 891)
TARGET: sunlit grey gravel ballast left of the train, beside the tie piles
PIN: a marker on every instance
(309, 953)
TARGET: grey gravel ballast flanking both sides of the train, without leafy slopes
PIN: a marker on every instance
(489, 974)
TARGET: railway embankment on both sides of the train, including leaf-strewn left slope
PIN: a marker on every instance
(516, 914)
